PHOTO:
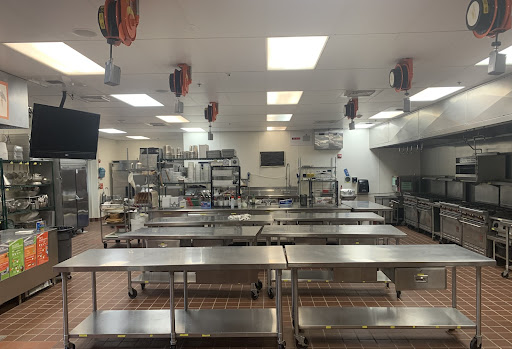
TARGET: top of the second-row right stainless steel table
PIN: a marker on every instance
(330, 231)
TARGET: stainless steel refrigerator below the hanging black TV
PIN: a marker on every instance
(71, 191)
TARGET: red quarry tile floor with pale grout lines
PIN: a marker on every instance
(37, 323)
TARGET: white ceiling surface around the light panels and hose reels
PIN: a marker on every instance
(225, 43)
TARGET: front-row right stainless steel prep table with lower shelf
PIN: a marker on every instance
(412, 256)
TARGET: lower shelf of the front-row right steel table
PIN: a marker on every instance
(382, 317)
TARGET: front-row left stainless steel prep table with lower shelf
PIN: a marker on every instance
(175, 323)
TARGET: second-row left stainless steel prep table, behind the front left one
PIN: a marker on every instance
(222, 234)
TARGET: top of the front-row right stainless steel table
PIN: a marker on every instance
(306, 256)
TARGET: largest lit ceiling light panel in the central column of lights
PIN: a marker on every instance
(294, 53)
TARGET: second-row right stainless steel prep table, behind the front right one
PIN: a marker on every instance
(345, 234)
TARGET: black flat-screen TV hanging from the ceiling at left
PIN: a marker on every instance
(61, 133)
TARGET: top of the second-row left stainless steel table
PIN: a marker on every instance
(245, 232)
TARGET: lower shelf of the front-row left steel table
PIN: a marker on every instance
(190, 323)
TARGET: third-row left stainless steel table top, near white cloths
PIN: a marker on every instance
(199, 220)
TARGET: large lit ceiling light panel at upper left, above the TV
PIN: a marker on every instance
(58, 56)
